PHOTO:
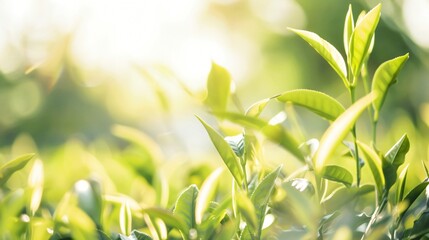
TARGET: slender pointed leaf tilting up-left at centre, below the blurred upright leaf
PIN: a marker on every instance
(225, 151)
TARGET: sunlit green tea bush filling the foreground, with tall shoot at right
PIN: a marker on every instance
(340, 186)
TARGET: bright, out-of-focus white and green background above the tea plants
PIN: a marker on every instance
(73, 69)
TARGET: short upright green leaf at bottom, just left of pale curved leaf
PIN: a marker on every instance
(185, 206)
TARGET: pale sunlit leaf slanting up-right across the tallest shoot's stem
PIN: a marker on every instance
(338, 131)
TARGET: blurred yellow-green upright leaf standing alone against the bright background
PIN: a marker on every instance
(218, 88)
